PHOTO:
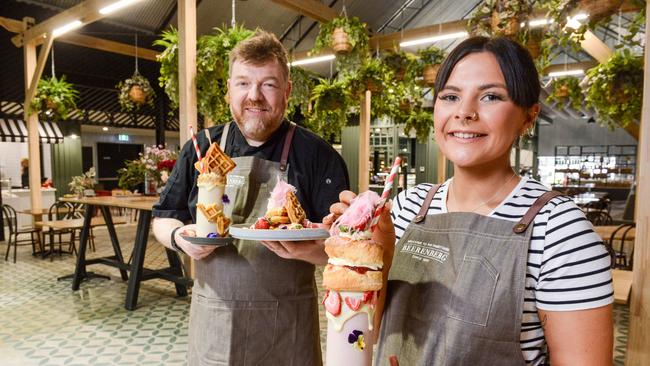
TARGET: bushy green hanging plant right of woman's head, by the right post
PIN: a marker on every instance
(616, 89)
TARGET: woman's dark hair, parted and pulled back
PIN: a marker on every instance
(517, 67)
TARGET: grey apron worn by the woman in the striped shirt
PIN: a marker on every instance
(456, 290)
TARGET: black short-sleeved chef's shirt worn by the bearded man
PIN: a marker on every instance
(315, 169)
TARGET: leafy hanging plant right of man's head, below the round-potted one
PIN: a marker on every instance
(330, 100)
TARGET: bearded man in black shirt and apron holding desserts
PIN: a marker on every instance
(255, 303)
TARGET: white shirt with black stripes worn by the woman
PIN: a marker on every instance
(567, 268)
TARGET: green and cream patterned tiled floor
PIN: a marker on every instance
(43, 322)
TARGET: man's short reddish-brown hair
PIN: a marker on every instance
(258, 49)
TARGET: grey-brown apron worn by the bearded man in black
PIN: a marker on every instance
(249, 306)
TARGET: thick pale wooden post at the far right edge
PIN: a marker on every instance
(638, 344)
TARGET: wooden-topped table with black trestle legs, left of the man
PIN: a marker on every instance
(143, 204)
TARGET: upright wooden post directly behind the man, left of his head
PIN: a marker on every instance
(187, 68)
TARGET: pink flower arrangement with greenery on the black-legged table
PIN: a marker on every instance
(155, 164)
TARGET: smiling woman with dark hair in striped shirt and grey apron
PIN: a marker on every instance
(473, 279)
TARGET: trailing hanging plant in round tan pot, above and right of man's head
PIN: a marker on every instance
(348, 37)
